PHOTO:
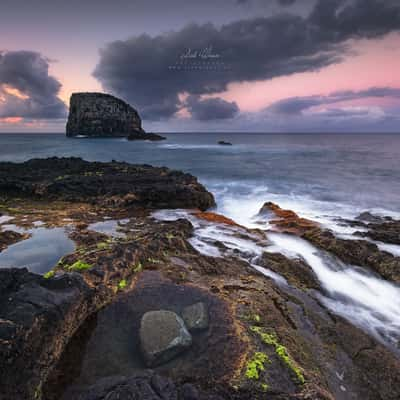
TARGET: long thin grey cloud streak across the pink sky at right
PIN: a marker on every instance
(296, 105)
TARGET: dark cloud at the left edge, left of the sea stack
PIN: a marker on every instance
(27, 72)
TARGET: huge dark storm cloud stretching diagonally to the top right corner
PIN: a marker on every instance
(137, 69)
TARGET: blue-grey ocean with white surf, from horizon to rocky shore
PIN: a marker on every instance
(317, 175)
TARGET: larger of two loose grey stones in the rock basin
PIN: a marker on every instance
(163, 335)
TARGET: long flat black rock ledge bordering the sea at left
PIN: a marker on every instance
(112, 184)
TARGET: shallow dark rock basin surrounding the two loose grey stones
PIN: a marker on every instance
(108, 345)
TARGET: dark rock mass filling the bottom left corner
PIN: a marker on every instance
(37, 317)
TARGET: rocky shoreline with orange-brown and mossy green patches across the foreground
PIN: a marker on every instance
(144, 314)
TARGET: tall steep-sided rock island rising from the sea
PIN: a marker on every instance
(103, 115)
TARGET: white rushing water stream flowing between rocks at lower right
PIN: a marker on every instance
(362, 298)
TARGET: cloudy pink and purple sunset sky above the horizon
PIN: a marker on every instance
(210, 65)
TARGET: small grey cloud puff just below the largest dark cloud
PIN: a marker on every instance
(211, 109)
